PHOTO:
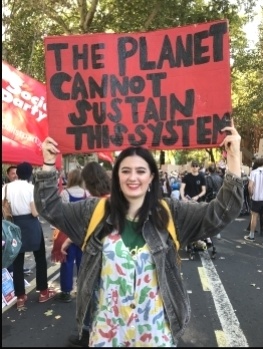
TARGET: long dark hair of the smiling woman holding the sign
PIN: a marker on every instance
(151, 207)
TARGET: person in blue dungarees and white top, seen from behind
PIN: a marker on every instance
(73, 192)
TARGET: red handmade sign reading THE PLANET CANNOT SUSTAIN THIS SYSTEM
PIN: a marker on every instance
(167, 89)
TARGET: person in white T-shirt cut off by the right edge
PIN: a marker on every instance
(255, 188)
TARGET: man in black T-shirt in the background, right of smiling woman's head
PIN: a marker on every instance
(193, 186)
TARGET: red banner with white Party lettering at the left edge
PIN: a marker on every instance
(25, 122)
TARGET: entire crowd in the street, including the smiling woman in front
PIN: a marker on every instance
(130, 265)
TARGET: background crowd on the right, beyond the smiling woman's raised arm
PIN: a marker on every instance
(202, 184)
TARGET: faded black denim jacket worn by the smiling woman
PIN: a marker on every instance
(193, 221)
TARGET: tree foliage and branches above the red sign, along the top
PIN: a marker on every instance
(27, 22)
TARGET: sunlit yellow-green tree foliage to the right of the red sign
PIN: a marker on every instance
(247, 92)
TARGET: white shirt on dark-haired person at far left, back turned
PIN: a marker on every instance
(20, 194)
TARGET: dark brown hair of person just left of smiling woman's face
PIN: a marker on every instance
(96, 179)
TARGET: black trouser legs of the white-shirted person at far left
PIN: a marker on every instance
(41, 270)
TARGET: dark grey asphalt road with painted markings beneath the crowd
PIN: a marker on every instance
(225, 294)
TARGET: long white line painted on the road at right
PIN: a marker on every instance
(234, 336)
